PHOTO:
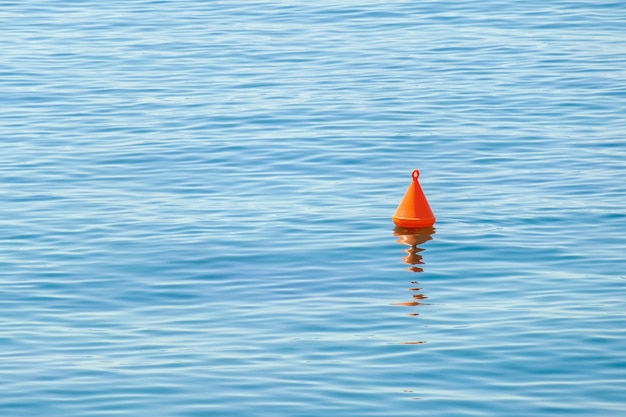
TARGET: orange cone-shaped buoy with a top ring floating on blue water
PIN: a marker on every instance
(413, 212)
